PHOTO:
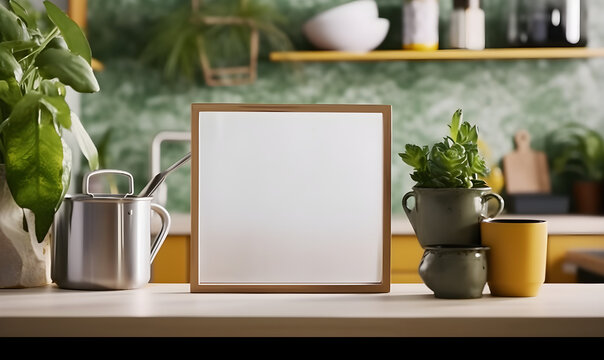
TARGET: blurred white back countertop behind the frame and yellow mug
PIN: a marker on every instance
(567, 224)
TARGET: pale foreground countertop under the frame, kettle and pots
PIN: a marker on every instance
(408, 310)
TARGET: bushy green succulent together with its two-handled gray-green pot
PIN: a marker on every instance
(450, 196)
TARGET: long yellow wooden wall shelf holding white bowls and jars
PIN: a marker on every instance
(436, 55)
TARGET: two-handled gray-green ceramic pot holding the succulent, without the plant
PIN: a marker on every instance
(450, 216)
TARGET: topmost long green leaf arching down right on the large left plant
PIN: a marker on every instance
(72, 33)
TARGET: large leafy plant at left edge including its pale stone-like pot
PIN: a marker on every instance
(35, 161)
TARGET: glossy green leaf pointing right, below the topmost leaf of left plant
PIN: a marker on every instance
(69, 68)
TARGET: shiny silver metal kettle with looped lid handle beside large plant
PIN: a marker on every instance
(103, 241)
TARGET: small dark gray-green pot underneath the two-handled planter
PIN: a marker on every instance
(454, 272)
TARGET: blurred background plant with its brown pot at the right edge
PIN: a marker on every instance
(576, 154)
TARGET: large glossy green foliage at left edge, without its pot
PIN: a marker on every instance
(35, 68)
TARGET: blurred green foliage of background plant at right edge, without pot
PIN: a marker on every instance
(576, 150)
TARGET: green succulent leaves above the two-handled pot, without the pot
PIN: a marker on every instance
(453, 163)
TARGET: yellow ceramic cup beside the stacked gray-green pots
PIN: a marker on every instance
(516, 261)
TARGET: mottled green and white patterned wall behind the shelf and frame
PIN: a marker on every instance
(136, 102)
